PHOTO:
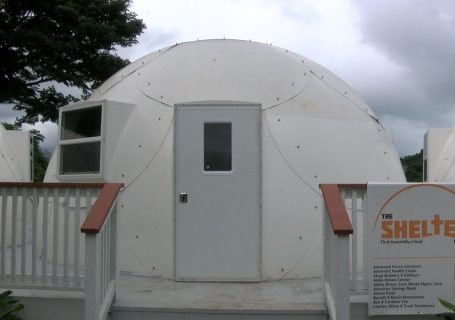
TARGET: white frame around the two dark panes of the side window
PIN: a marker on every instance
(63, 142)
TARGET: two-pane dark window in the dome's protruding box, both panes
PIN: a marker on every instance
(80, 141)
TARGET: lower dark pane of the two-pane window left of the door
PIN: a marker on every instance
(80, 158)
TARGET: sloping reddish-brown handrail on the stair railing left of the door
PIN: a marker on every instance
(100, 209)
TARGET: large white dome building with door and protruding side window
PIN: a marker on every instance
(222, 145)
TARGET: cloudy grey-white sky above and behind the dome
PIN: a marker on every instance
(398, 54)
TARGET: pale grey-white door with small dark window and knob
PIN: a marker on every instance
(217, 191)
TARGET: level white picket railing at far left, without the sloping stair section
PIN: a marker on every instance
(40, 241)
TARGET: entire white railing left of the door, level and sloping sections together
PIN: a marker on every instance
(60, 236)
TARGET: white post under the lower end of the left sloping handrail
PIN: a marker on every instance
(92, 274)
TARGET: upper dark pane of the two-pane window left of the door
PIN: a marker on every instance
(82, 123)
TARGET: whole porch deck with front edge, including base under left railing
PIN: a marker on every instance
(154, 298)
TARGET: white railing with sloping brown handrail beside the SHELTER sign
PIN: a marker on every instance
(344, 246)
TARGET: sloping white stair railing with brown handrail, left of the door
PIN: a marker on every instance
(100, 229)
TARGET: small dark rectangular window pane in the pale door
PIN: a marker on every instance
(217, 147)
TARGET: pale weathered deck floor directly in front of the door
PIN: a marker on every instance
(283, 296)
